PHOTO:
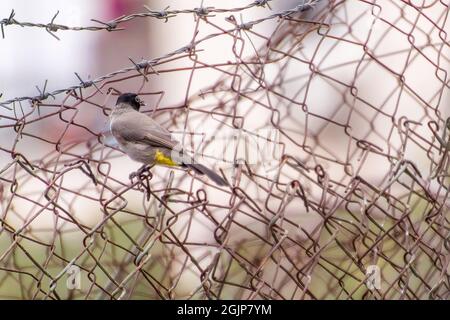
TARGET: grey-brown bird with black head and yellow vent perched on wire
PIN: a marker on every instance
(145, 141)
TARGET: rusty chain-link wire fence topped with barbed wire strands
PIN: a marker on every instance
(358, 92)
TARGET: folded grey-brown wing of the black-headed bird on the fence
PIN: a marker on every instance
(139, 128)
